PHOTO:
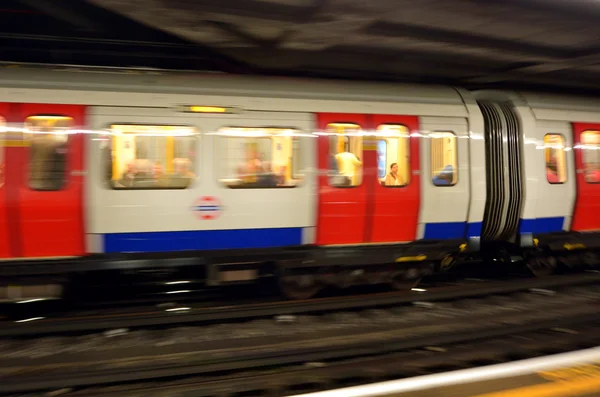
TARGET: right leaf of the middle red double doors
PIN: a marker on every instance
(395, 209)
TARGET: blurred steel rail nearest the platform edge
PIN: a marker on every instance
(286, 351)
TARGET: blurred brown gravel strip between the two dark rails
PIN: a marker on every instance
(406, 320)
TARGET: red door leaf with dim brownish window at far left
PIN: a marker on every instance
(50, 182)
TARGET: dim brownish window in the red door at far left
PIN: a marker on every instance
(48, 138)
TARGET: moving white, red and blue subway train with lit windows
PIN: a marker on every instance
(314, 182)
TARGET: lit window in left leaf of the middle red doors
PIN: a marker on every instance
(345, 153)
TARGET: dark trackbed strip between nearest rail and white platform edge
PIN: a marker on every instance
(317, 376)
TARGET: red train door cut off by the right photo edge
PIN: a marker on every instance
(586, 215)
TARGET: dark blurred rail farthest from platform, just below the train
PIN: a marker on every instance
(195, 313)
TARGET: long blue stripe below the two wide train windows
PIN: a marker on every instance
(202, 240)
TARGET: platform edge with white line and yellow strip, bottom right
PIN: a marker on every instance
(574, 374)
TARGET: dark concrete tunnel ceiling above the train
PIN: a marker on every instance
(552, 44)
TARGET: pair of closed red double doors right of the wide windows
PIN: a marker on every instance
(360, 209)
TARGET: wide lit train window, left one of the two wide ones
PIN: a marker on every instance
(151, 156)
